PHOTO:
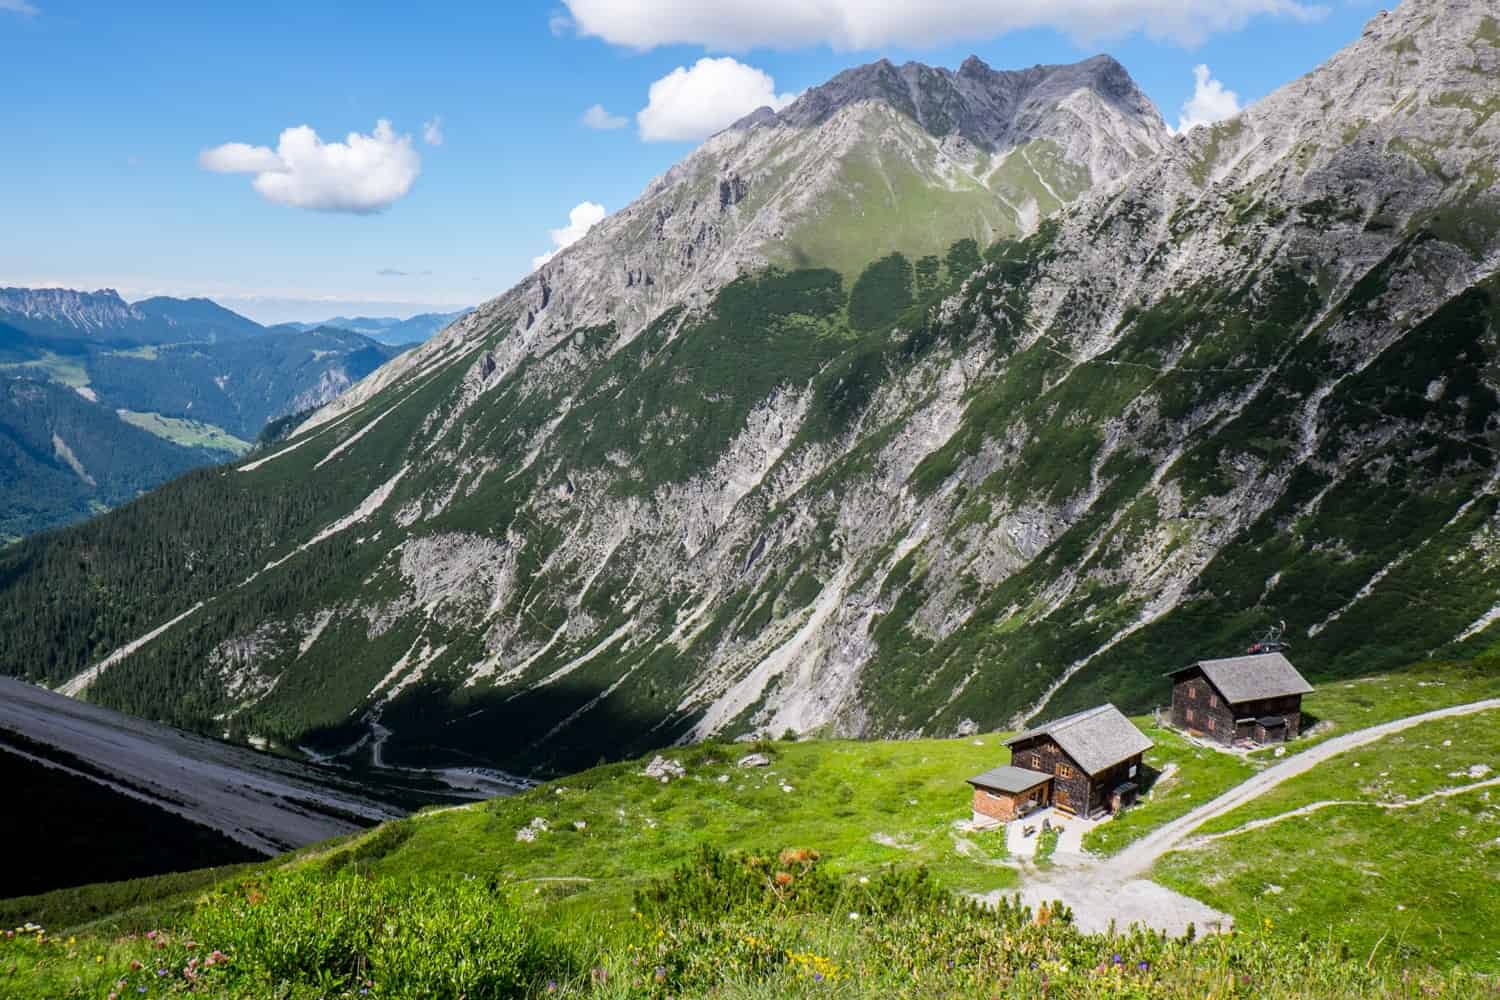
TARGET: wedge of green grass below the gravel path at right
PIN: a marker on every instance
(1418, 879)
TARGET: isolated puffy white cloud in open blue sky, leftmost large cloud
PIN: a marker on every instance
(362, 175)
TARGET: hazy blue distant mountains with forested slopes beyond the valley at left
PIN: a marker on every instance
(104, 400)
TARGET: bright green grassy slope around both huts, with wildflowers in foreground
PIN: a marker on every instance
(599, 864)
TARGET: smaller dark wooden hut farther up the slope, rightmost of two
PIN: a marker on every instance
(1256, 699)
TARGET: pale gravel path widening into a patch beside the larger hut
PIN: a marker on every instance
(1105, 891)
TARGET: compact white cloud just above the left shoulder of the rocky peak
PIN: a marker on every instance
(694, 104)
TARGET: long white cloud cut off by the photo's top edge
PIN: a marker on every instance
(863, 25)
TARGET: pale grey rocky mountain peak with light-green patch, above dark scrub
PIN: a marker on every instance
(817, 185)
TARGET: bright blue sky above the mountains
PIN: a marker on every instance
(107, 110)
